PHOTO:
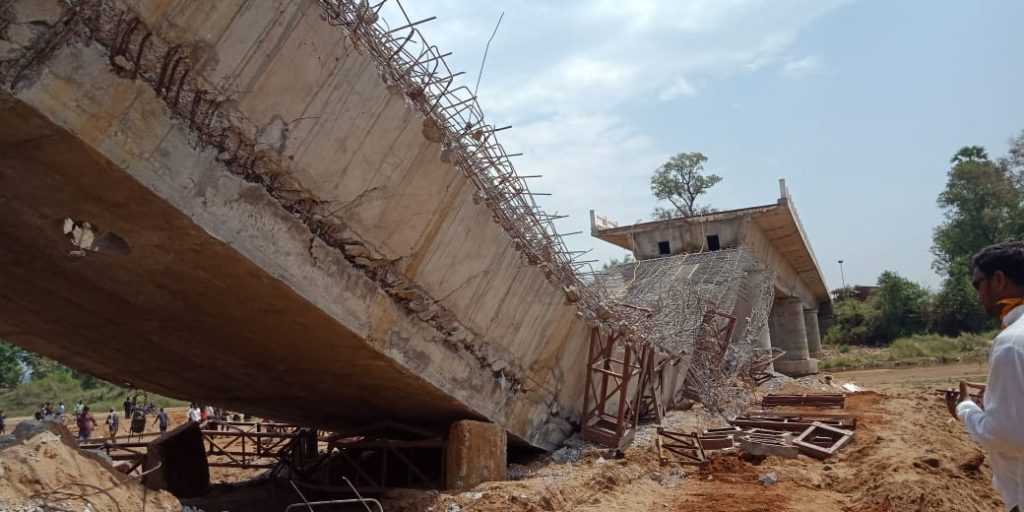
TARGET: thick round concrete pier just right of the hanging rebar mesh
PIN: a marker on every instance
(789, 332)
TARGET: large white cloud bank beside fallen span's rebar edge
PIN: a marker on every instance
(569, 76)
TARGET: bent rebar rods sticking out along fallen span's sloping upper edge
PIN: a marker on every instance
(453, 117)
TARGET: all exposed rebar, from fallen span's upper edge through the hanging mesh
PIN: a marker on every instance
(663, 303)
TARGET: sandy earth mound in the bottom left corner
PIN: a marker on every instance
(42, 470)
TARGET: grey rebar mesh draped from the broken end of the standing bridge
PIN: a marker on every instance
(707, 310)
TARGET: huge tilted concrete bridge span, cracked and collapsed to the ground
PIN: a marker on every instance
(255, 220)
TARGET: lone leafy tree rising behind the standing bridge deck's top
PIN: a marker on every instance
(680, 182)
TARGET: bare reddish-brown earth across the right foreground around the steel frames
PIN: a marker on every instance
(908, 455)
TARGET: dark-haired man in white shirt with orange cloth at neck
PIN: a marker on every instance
(999, 278)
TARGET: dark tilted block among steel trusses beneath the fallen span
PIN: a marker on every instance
(184, 471)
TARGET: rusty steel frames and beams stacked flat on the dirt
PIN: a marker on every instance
(784, 428)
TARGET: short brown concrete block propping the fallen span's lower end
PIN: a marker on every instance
(477, 453)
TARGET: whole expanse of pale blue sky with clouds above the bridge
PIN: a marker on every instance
(859, 105)
